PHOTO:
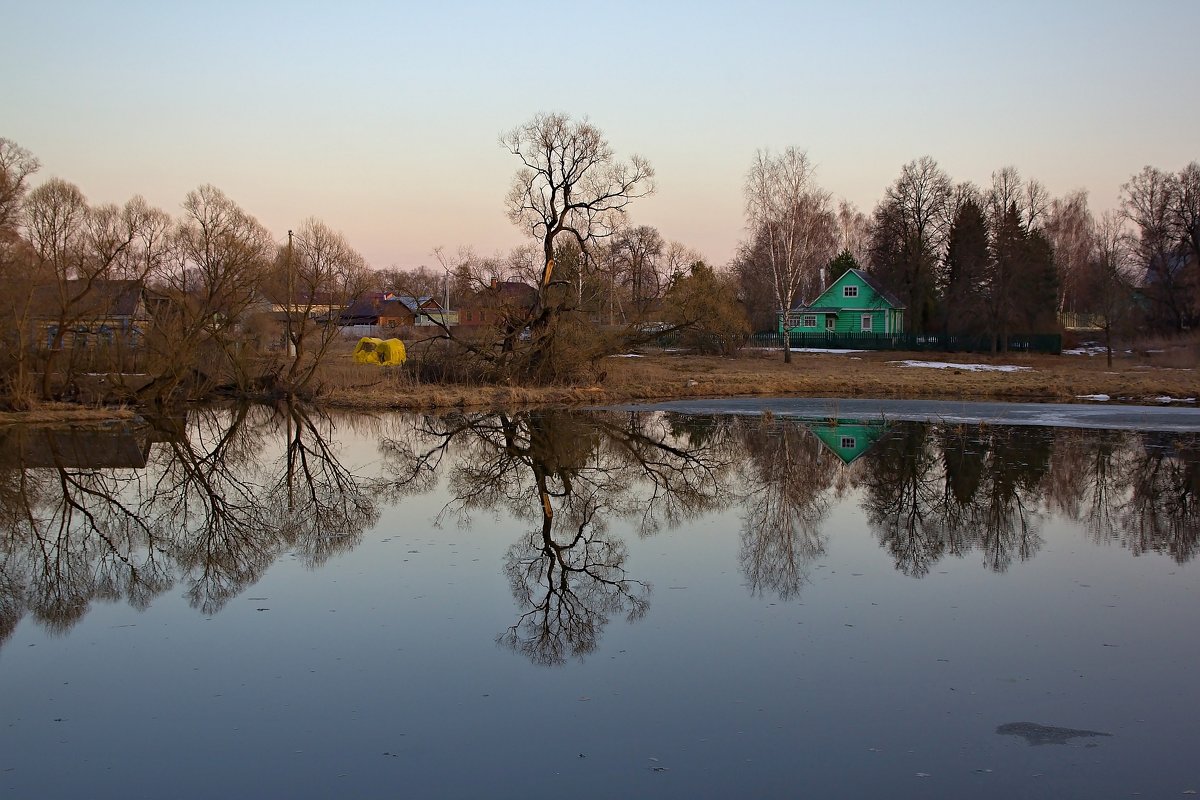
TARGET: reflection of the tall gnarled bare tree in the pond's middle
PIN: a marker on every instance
(568, 476)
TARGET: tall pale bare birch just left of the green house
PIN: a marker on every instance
(790, 219)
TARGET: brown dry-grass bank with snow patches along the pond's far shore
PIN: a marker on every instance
(1147, 380)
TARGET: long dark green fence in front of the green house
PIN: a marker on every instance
(909, 342)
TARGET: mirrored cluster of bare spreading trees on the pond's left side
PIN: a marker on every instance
(207, 510)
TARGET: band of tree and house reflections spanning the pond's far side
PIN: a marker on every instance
(212, 504)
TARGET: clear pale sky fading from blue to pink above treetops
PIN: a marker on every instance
(383, 119)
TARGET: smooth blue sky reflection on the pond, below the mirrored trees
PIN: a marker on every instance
(380, 675)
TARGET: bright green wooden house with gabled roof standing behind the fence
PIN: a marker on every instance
(854, 304)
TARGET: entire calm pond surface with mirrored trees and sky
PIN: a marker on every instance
(285, 605)
